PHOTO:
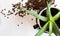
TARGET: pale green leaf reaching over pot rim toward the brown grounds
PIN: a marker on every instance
(33, 13)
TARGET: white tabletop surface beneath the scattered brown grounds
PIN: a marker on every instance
(8, 27)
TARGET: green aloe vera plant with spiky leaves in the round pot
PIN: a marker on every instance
(50, 21)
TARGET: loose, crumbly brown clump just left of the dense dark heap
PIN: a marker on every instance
(16, 7)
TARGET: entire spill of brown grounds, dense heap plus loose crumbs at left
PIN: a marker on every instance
(36, 5)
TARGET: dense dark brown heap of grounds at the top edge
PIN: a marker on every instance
(36, 4)
